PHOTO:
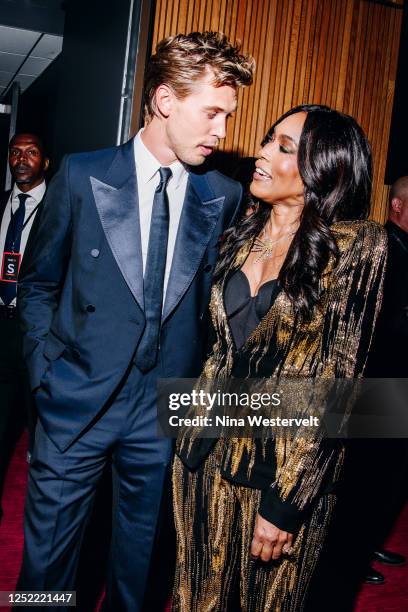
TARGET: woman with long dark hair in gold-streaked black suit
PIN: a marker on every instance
(296, 293)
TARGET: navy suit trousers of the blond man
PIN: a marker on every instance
(61, 489)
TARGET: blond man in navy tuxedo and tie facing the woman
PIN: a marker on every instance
(114, 296)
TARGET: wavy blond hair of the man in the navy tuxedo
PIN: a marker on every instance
(180, 60)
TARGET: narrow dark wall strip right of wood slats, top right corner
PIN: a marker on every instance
(397, 162)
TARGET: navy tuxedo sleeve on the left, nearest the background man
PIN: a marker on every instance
(43, 272)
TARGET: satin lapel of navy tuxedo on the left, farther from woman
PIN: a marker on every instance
(119, 214)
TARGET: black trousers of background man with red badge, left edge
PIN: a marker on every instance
(16, 404)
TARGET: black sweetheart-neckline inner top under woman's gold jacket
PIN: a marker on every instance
(244, 312)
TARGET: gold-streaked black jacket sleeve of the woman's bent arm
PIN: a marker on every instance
(307, 464)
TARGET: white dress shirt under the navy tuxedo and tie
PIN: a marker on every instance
(148, 178)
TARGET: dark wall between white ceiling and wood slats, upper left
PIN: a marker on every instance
(75, 104)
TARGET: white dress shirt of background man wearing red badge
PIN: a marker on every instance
(35, 197)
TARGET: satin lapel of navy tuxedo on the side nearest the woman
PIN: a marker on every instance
(197, 222)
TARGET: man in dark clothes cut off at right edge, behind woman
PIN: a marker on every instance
(388, 358)
